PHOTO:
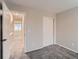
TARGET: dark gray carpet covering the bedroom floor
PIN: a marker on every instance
(52, 52)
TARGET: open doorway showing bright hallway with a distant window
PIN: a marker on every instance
(18, 35)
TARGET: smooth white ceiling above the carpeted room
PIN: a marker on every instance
(54, 6)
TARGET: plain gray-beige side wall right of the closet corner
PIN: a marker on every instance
(67, 29)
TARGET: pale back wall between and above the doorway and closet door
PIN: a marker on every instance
(33, 26)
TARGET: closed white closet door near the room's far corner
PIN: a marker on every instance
(47, 31)
